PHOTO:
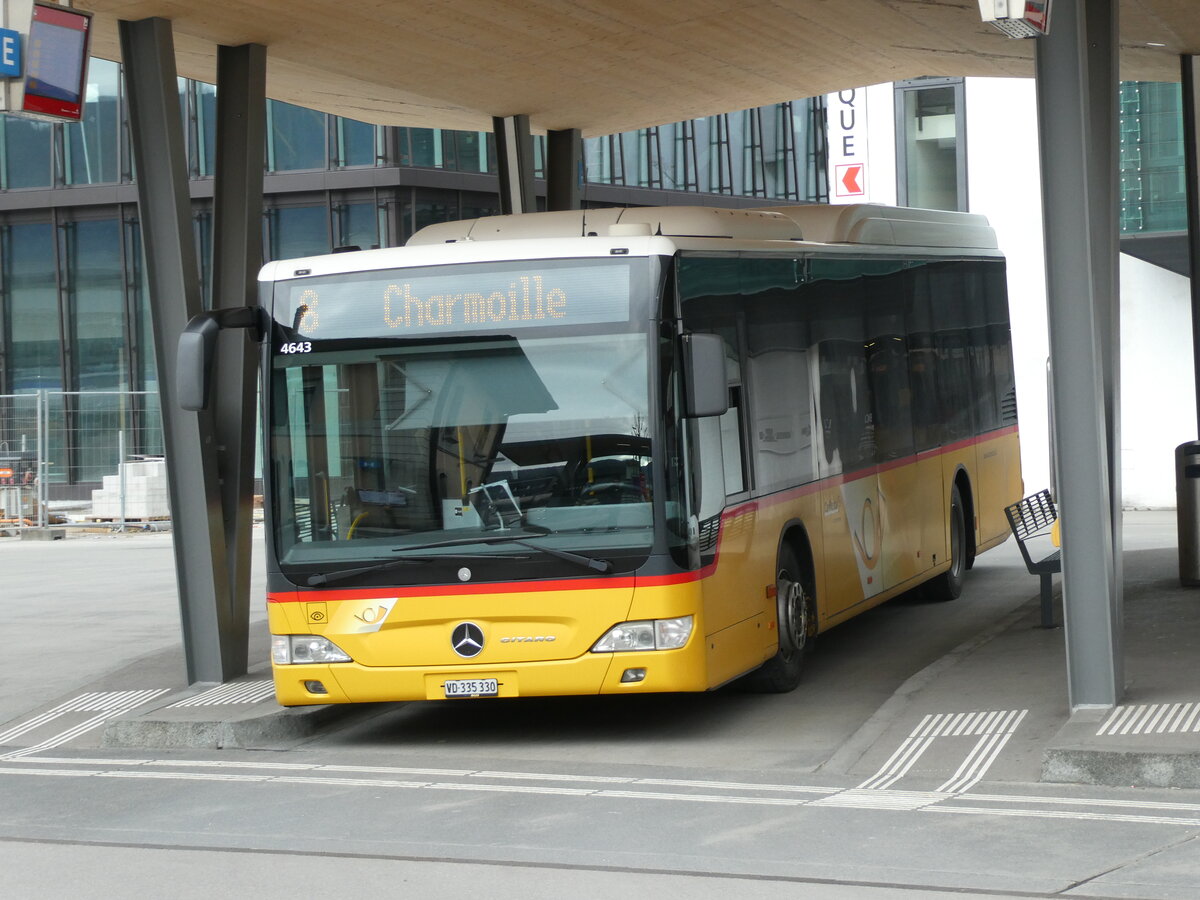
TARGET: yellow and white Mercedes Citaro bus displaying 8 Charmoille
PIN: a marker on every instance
(626, 451)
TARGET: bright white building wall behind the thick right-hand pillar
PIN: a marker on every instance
(1157, 385)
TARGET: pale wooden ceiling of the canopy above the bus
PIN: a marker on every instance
(609, 65)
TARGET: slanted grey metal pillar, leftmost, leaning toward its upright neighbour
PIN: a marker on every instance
(173, 277)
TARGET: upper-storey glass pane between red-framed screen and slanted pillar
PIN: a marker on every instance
(91, 147)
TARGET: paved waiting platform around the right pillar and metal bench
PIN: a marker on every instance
(1150, 740)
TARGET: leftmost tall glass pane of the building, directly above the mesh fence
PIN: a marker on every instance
(33, 321)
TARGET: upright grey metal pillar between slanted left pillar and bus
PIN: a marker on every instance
(237, 259)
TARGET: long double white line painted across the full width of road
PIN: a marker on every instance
(1084, 809)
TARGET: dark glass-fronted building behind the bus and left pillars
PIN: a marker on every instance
(74, 308)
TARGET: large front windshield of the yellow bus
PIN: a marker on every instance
(383, 446)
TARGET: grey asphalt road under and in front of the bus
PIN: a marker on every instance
(719, 795)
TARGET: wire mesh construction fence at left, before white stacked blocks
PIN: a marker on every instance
(82, 459)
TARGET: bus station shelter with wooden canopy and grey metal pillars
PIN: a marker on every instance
(596, 68)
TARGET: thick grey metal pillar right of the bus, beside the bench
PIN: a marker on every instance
(1082, 437)
